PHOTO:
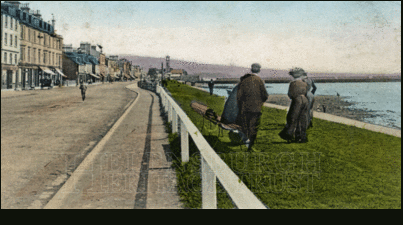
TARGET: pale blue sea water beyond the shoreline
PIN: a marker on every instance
(383, 99)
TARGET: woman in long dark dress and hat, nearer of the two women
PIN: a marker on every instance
(298, 115)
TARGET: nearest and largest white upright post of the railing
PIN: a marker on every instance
(209, 193)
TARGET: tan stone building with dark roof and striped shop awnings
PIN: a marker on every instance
(40, 48)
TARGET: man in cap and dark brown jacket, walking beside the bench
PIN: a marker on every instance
(250, 98)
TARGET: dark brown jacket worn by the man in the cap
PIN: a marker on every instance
(251, 94)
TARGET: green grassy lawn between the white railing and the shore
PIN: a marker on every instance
(340, 167)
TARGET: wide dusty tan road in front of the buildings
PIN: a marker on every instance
(45, 134)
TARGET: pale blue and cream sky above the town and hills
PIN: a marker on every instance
(355, 37)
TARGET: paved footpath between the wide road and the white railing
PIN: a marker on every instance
(129, 168)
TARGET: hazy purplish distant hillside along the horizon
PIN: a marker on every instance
(214, 71)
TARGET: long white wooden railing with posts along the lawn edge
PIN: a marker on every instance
(212, 165)
